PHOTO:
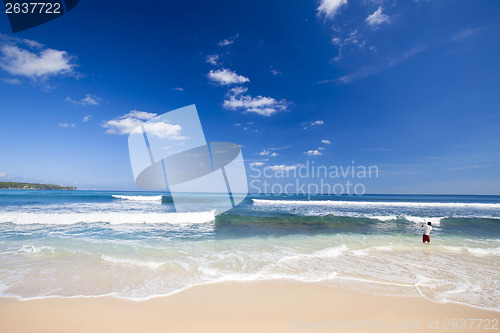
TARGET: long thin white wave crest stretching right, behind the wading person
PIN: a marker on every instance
(331, 203)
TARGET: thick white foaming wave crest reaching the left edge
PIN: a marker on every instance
(112, 218)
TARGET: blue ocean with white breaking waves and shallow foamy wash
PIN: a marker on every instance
(134, 245)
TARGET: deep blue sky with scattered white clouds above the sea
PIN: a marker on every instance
(409, 86)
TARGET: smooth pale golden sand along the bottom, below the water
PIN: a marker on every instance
(271, 306)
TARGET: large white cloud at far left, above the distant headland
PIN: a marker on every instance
(47, 62)
